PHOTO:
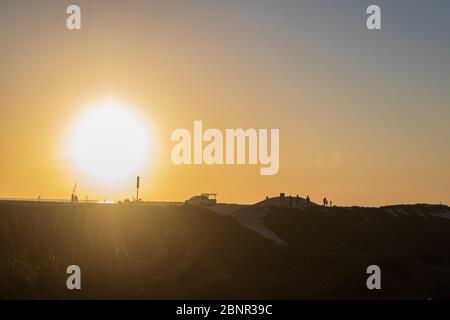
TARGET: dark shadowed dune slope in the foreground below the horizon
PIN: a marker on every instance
(186, 252)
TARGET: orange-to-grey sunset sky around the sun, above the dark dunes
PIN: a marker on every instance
(359, 123)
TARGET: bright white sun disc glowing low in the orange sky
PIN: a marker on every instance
(109, 142)
